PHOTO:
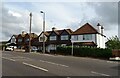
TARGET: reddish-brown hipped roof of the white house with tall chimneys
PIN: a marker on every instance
(85, 29)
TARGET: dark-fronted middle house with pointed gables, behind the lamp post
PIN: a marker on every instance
(55, 38)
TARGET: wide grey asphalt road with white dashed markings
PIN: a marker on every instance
(36, 64)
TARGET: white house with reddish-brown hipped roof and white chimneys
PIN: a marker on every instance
(88, 36)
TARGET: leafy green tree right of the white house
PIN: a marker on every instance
(113, 43)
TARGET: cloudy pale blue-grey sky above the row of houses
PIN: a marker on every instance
(61, 15)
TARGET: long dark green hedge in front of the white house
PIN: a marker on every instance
(85, 52)
